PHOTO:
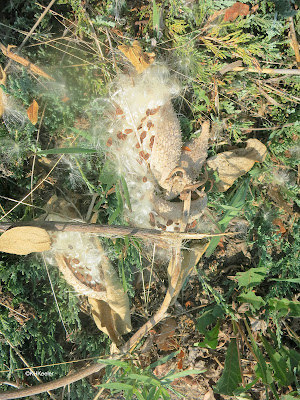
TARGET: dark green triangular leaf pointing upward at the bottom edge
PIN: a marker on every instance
(231, 377)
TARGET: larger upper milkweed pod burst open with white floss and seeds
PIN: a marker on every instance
(145, 143)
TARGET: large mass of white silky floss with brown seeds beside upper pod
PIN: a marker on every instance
(140, 104)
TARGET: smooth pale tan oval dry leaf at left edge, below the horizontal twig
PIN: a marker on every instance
(24, 240)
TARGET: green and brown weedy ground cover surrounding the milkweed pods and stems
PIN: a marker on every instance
(238, 315)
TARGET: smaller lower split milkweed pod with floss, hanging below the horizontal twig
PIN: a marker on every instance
(85, 266)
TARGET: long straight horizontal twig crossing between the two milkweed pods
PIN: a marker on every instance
(112, 230)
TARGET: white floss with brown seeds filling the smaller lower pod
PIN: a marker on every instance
(81, 256)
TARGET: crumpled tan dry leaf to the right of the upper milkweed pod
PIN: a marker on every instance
(230, 165)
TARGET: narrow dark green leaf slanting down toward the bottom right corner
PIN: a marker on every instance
(282, 374)
